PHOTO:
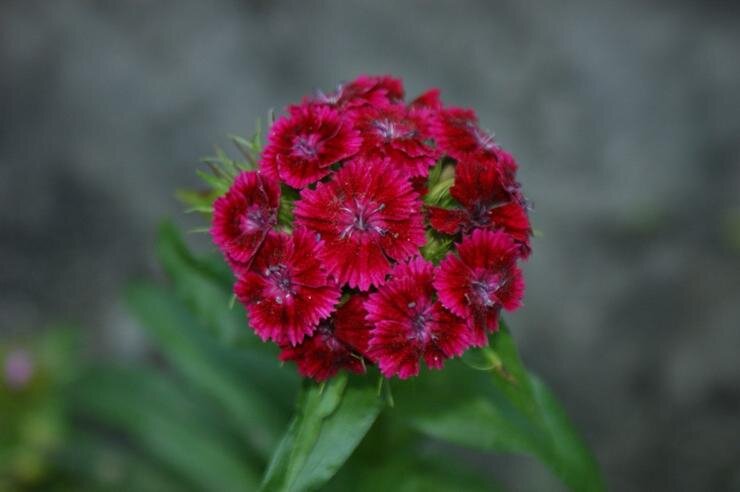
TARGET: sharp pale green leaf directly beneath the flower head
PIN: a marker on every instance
(330, 422)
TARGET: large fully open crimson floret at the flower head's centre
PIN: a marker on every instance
(366, 215)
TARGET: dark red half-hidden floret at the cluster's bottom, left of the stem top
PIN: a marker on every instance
(338, 343)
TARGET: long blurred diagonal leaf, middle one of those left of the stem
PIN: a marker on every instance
(212, 368)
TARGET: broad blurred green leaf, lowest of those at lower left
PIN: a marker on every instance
(166, 424)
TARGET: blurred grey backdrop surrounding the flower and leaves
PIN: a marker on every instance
(624, 116)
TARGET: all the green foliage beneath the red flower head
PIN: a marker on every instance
(212, 410)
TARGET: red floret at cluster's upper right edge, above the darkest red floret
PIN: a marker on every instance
(458, 135)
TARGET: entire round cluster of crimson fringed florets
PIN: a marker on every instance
(405, 226)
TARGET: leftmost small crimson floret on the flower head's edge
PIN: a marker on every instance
(244, 215)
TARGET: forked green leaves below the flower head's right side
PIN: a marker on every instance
(500, 407)
